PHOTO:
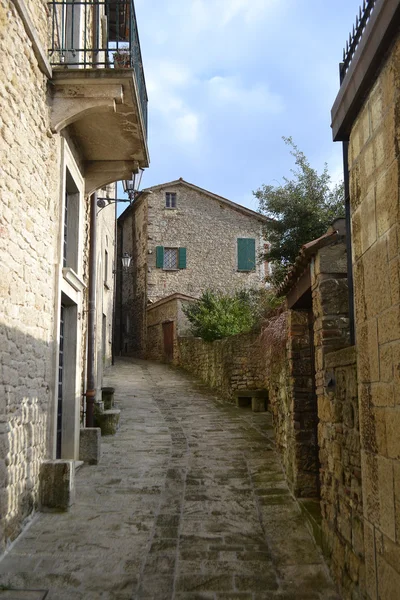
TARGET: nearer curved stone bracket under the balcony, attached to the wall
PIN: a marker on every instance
(73, 101)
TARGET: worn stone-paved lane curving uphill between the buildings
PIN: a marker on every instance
(189, 502)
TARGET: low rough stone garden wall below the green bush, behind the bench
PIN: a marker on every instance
(226, 365)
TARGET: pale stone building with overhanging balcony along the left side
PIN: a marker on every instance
(70, 124)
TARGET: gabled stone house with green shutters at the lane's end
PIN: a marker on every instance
(183, 239)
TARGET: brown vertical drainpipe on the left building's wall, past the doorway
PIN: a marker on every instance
(90, 375)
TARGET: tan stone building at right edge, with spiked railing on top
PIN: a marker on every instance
(366, 118)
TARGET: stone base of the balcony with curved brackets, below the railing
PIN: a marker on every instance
(100, 110)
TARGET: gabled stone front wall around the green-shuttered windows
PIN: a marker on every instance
(209, 230)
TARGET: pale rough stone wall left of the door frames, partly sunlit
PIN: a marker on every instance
(29, 228)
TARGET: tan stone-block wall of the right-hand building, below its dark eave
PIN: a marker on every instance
(374, 159)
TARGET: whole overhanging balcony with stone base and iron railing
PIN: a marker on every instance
(98, 86)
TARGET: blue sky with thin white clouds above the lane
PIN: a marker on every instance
(226, 79)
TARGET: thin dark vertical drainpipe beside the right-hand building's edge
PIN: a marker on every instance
(348, 227)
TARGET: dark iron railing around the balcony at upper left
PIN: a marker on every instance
(97, 34)
